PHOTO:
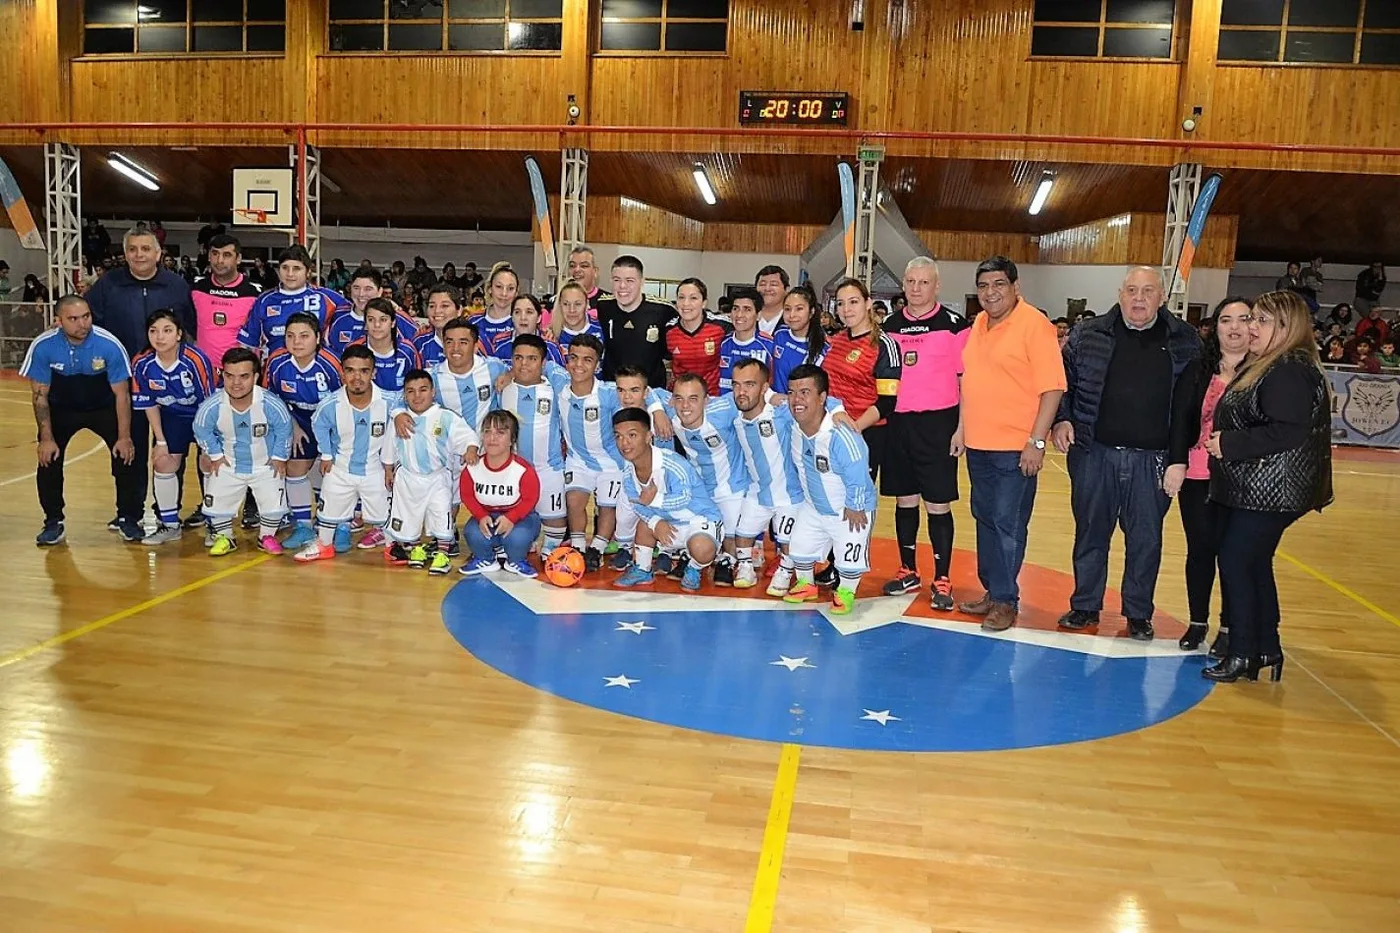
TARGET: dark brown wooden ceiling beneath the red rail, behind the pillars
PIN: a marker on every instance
(1345, 218)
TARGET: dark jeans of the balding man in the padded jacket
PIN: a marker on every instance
(1115, 487)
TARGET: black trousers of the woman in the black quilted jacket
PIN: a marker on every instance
(1248, 544)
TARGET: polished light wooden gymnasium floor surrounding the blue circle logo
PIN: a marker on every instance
(209, 747)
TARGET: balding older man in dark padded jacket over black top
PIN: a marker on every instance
(1125, 422)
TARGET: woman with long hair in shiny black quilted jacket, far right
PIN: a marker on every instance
(1270, 466)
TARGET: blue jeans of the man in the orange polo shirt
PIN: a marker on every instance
(1002, 504)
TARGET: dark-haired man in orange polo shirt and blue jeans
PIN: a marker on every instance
(1011, 389)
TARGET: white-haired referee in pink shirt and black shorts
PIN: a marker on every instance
(925, 436)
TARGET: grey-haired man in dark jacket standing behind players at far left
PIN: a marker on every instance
(124, 298)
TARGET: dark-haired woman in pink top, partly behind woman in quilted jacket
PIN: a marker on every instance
(1224, 352)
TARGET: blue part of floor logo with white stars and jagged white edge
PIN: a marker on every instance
(876, 680)
